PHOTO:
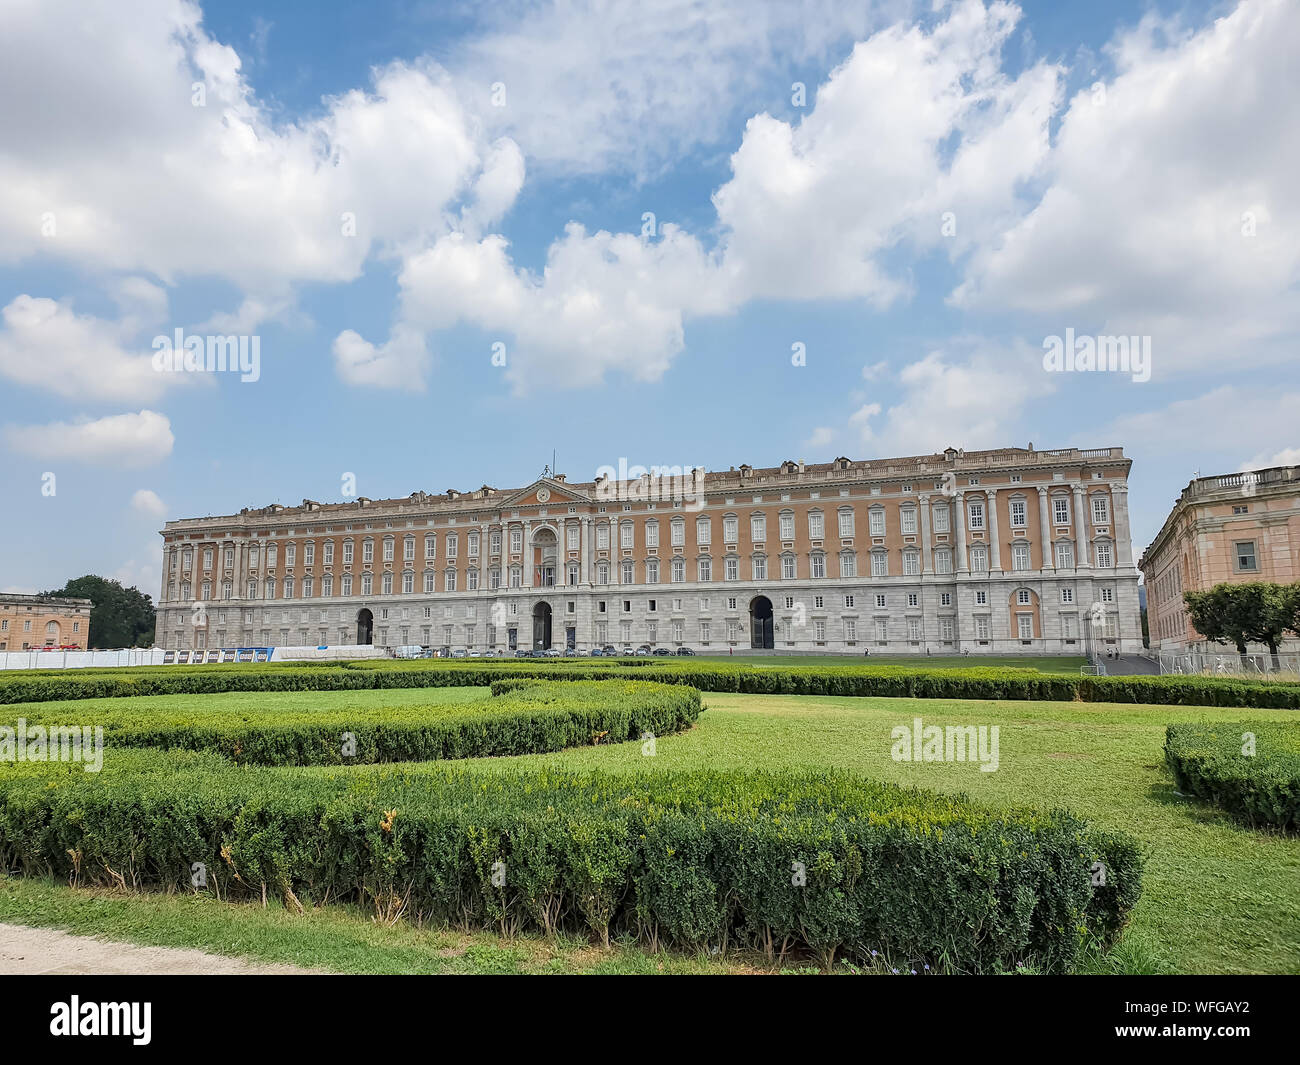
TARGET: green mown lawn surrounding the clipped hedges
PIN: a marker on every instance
(1219, 898)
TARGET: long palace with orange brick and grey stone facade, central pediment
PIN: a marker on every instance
(999, 552)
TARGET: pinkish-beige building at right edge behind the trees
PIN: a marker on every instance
(1234, 529)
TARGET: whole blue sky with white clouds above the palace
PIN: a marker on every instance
(1110, 168)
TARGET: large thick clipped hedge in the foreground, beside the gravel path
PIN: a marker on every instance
(822, 863)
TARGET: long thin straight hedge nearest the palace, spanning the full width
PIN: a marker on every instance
(981, 683)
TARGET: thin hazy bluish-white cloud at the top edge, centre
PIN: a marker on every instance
(593, 86)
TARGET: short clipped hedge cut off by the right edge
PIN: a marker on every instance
(1251, 769)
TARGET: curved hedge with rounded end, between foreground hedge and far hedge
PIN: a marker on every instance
(532, 717)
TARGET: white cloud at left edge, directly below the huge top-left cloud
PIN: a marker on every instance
(45, 344)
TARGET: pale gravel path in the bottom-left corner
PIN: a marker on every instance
(28, 953)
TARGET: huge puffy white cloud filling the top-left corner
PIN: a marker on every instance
(132, 176)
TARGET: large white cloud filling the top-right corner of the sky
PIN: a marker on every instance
(1142, 230)
